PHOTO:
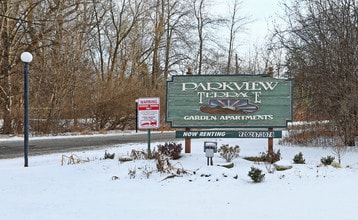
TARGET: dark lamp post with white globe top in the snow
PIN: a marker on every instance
(26, 58)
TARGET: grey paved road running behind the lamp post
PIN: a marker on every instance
(37, 146)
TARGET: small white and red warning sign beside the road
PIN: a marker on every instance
(148, 113)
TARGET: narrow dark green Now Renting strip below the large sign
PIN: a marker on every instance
(228, 134)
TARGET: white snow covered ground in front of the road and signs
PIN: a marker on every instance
(103, 189)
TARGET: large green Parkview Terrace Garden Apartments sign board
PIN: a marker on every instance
(235, 101)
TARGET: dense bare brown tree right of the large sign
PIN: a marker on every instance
(321, 42)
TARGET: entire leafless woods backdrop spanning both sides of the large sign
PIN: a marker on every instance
(93, 58)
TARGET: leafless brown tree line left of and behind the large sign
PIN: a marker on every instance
(92, 58)
